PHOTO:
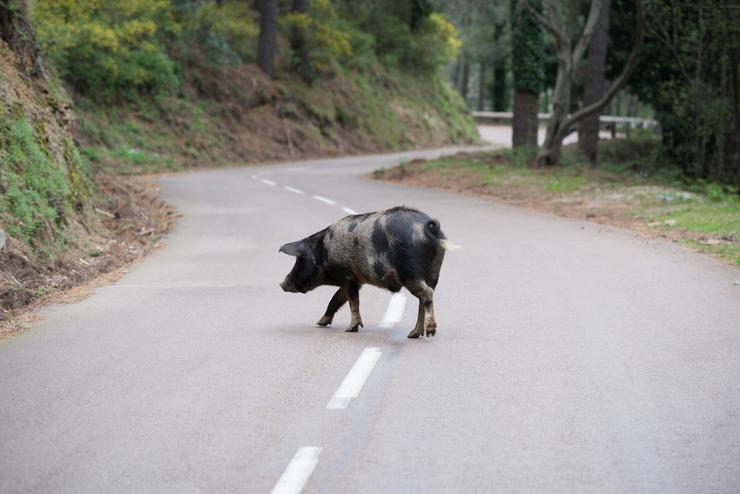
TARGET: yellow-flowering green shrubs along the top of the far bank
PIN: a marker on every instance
(109, 50)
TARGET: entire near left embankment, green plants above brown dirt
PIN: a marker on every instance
(61, 227)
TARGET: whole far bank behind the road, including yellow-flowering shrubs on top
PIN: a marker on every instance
(168, 84)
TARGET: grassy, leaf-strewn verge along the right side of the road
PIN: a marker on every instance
(706, 215)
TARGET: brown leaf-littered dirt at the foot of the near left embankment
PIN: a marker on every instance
(132, 221)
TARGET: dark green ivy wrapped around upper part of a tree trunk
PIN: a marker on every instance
(528, 49)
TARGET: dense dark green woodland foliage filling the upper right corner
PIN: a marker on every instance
(688, 73)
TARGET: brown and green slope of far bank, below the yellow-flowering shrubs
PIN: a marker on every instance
(239, 116)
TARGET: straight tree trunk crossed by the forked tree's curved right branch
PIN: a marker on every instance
(595, 85)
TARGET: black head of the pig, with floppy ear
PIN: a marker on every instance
(307, 272)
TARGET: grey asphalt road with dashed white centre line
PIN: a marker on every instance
(569, 357)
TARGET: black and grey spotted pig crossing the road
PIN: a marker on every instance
(395, 248)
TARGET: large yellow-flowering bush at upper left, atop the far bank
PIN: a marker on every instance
(109, 49)
